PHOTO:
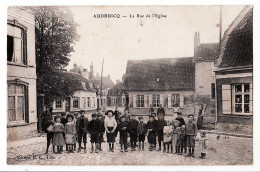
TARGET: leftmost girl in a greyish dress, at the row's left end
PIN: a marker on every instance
(58, 129)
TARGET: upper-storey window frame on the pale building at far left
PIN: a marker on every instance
(15, 23)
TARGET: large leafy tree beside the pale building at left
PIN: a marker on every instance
(55, 32)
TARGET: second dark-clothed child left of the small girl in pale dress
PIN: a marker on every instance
(152, 127)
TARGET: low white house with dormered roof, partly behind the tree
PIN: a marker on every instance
(84, 97)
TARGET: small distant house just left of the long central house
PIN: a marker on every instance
(117, 95)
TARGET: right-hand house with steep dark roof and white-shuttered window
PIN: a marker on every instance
(234, 72)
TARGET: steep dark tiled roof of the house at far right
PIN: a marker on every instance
(237, 43)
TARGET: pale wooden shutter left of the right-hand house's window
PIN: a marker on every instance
(226, 99)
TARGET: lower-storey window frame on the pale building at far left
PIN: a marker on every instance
(18, 82)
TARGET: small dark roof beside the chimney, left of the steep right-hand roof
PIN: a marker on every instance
(207, 51)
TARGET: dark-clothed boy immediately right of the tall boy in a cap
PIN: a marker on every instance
(93, 129)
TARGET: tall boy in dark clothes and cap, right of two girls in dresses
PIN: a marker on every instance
(81, 127)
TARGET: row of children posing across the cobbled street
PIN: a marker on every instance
(174, 134)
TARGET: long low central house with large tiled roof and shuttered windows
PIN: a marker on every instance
(160, 81)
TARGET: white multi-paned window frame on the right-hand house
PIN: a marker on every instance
(242, 93)
